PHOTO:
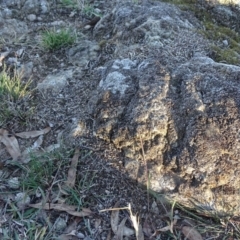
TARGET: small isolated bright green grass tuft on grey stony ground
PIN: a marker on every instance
(56, 39)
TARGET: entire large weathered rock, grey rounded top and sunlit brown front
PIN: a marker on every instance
(183, 111)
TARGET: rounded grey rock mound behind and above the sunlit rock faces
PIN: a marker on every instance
(160, 29)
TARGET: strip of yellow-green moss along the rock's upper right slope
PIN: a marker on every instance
(214, 31)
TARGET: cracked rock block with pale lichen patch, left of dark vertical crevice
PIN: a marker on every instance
(131, 106)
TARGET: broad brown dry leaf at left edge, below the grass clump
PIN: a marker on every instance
(11, 144)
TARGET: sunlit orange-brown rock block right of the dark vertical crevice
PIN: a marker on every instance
(205, 115)
